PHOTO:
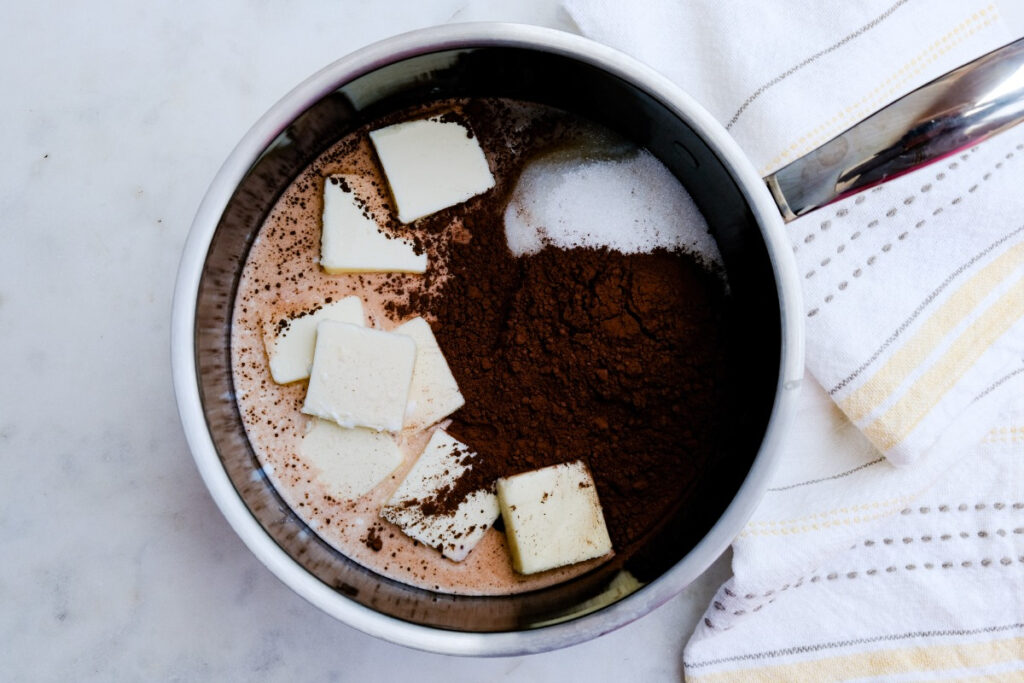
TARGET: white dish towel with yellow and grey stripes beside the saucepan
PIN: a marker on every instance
(891, 543)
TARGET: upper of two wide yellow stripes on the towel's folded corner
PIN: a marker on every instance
(871, 395)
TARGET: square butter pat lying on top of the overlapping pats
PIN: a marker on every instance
(361, 377)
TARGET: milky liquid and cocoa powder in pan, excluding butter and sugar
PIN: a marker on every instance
(618, 360)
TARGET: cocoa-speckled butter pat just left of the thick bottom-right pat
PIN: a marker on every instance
(412, 507)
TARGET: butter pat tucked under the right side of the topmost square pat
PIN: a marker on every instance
(435, 394)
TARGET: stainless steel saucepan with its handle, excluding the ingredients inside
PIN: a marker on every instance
(743, 211)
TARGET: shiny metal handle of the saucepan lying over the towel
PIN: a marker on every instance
(953, 112)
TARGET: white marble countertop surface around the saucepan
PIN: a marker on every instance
(115, 564)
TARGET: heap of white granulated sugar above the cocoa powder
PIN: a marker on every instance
(630, 203)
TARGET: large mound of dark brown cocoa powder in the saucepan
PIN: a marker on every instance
(617, 360)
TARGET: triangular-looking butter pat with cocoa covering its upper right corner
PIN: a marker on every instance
(352, 241)
